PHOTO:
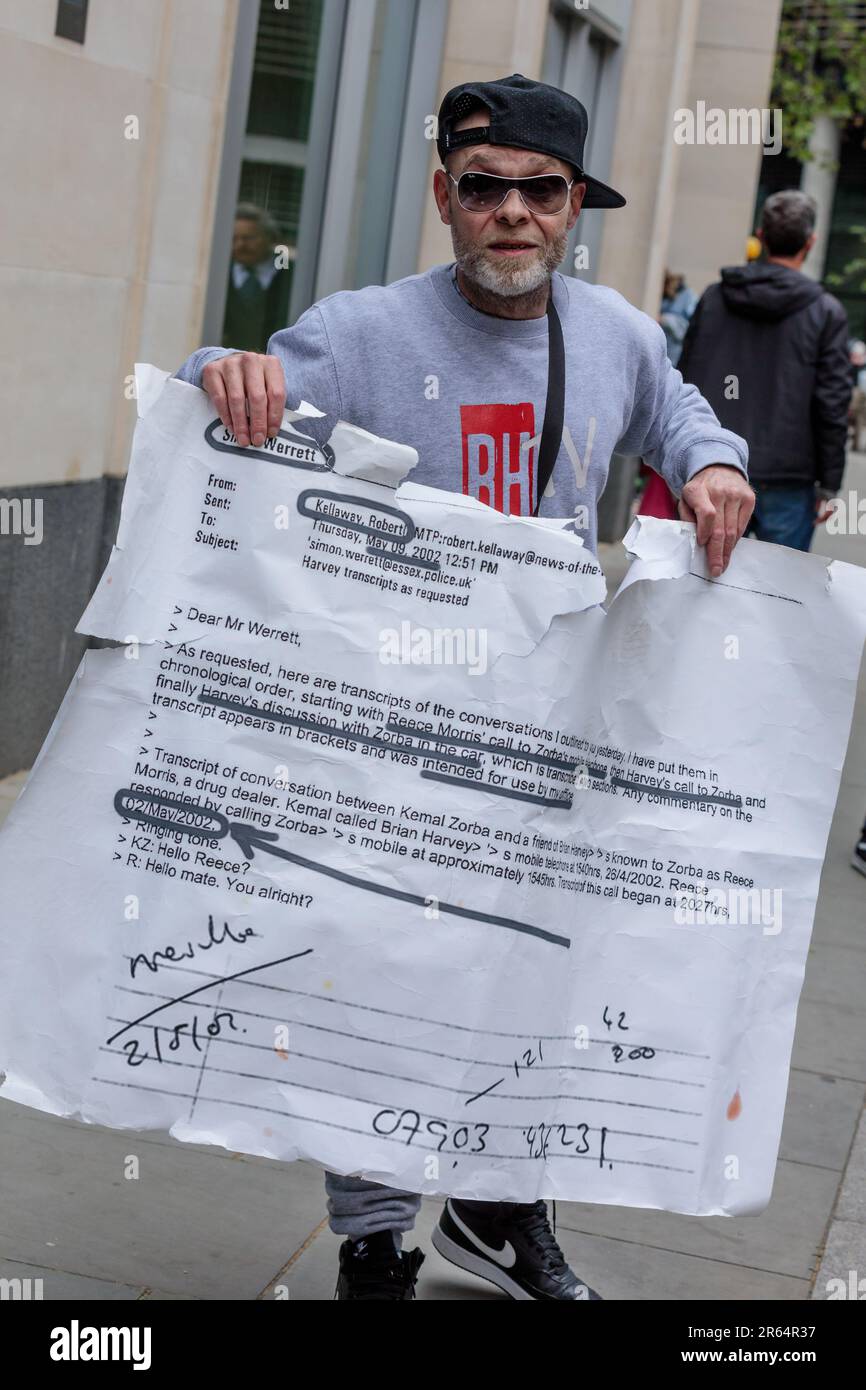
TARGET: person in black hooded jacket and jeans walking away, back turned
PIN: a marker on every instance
(768, 347)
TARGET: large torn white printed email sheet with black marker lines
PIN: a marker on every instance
(377, 842)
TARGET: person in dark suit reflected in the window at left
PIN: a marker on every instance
(259, 286)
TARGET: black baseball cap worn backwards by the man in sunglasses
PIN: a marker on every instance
(528, 116)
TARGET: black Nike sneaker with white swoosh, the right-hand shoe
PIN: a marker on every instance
(512, 1246)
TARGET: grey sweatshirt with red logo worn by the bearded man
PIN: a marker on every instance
(416, 362)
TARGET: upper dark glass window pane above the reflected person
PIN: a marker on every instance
(287, 47)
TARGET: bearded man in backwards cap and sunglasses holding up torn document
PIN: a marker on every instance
(457, 363)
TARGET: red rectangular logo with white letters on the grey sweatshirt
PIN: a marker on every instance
(498, 464)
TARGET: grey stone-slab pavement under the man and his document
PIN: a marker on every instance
(204, 1224)
